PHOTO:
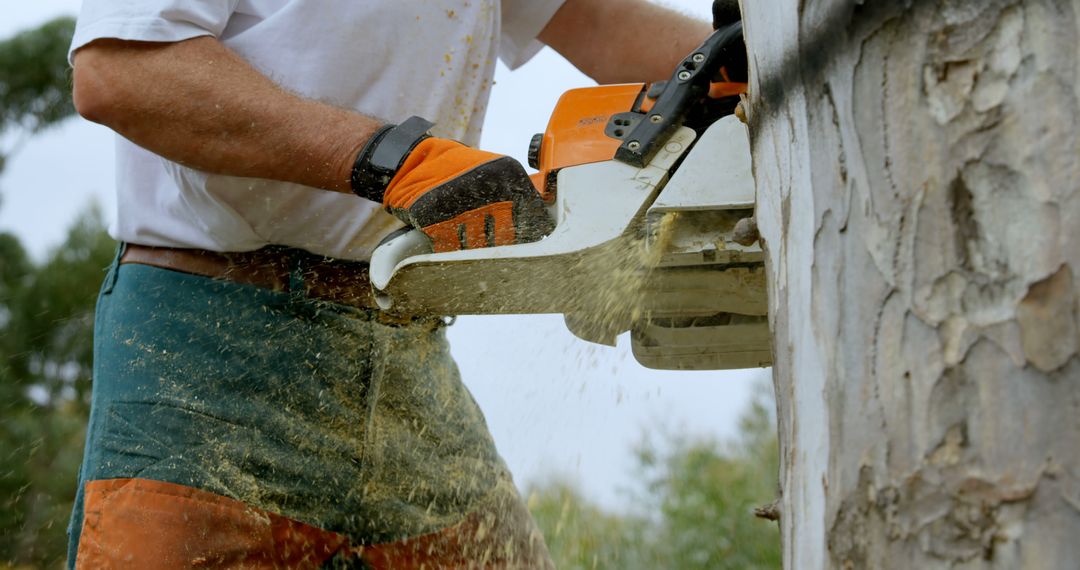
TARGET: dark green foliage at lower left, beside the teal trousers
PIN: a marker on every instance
(46, 351)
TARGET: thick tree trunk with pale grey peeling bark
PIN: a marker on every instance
(917, 165)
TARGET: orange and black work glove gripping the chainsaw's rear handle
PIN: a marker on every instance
(460, 197)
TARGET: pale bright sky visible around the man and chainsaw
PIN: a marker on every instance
(558, 406)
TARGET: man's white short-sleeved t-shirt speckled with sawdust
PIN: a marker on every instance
(388, 59)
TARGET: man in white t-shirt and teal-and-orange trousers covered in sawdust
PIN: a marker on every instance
(251, 408)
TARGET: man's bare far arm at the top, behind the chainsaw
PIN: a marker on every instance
(624, 42)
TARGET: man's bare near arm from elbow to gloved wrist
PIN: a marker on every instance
(199, 104)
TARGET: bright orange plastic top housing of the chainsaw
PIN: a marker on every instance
(576, 132)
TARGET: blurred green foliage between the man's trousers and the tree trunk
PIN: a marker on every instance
(695, 509)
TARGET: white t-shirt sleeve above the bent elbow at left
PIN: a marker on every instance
(159, 21)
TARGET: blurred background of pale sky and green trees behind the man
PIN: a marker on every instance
(624, 467)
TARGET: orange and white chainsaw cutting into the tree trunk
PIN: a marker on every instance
(651, 188)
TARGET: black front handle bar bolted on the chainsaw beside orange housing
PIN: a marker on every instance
(688, 85)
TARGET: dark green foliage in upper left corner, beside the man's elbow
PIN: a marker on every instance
(35, 79)
